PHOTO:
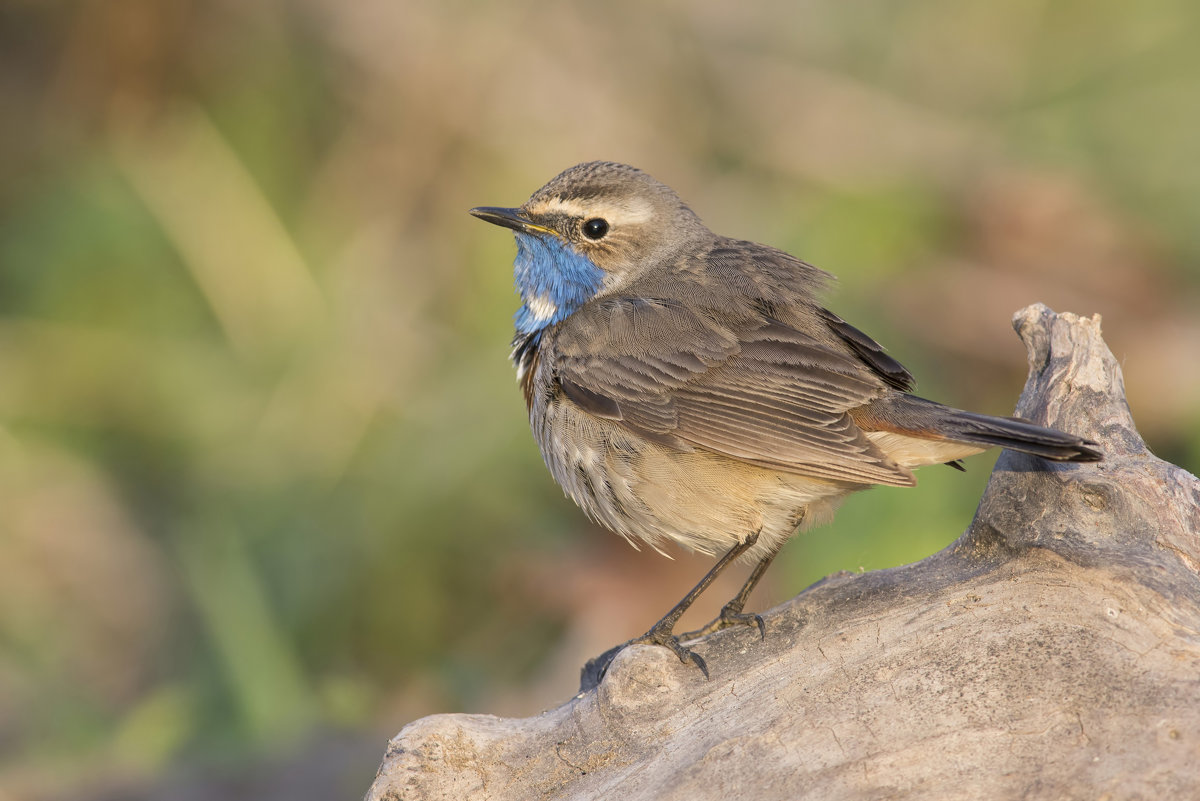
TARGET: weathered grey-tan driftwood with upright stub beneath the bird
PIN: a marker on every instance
(1052, 653)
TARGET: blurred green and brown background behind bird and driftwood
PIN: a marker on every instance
(267, 487)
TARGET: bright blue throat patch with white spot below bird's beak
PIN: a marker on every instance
(553, 280)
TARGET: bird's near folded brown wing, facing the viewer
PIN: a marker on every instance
(746, 387)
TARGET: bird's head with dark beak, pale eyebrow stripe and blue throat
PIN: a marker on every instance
(587, 233)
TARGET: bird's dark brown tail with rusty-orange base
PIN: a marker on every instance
(913, 417)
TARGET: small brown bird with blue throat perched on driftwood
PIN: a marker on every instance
(691, 388)
